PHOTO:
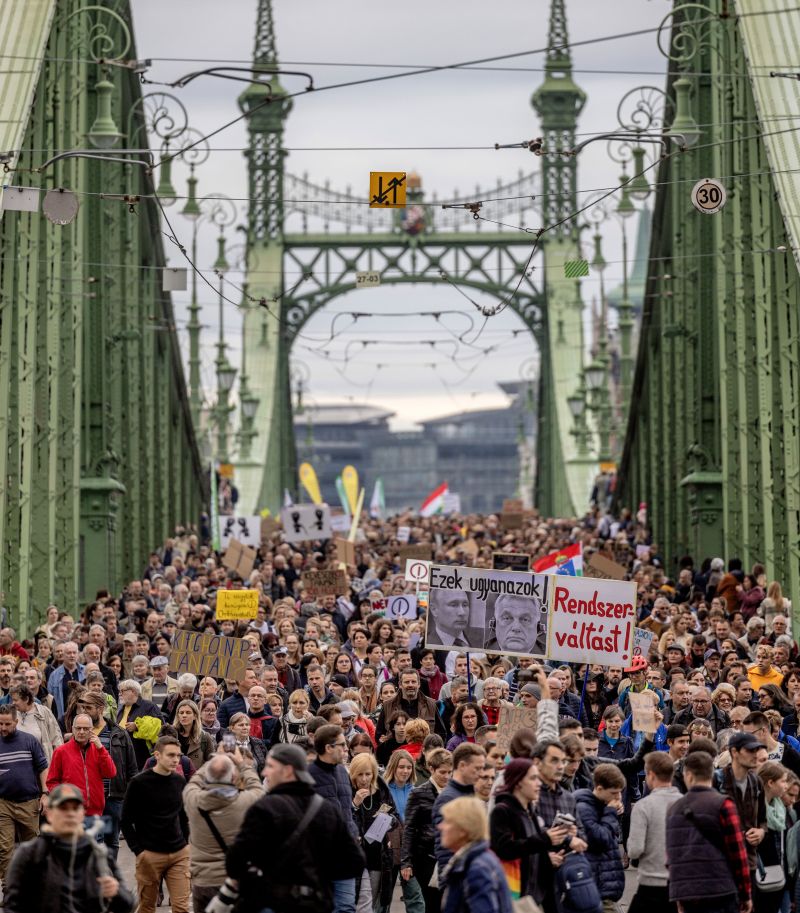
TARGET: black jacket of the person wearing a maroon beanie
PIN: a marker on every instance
(515, 833)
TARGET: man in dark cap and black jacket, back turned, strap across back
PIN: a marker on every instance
(292, 845)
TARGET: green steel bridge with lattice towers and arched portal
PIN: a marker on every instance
(103, 440)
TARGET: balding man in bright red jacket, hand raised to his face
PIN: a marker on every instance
(83, 762)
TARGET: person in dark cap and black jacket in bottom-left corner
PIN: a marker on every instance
(63, 869)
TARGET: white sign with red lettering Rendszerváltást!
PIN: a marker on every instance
(591, 621)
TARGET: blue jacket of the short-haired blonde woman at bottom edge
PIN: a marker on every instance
(475, 883)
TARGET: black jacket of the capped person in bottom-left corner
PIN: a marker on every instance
(37, 877)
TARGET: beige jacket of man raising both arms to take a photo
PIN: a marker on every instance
(227, 806)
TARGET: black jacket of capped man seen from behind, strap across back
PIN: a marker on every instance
(326, 852)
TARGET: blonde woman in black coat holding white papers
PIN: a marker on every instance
(369, 794)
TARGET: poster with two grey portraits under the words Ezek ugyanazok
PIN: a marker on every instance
(498, 612)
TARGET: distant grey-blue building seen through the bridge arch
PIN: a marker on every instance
(477, 452)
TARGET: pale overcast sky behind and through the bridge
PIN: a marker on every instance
(453, 108)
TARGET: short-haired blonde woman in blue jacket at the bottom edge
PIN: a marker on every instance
(474, 879)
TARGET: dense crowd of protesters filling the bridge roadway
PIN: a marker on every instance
(348, 764)
